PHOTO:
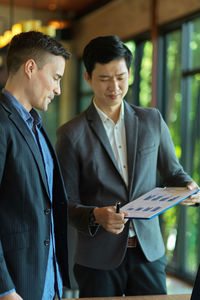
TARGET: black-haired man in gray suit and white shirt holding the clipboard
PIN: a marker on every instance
(112, 152)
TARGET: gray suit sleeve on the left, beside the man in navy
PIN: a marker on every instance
(71, 168)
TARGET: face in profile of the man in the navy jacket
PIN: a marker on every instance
(46, 82)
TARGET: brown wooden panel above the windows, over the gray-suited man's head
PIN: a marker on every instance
(127, 18)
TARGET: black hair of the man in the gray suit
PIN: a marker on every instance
(105, 49)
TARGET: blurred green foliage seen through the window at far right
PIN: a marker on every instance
(191, 140)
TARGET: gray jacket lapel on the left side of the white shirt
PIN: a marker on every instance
(97, 126)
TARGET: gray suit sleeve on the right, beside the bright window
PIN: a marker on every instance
(169, 167)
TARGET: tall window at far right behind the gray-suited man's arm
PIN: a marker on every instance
(179, 102)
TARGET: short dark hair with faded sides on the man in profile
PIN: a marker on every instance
(32, 45)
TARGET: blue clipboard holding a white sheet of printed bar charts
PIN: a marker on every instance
(156, 202)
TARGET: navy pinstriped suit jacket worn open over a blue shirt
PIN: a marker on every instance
(24, 205)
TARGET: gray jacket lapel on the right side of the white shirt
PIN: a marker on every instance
(131, 125)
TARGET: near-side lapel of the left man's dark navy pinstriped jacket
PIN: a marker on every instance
(28, 137)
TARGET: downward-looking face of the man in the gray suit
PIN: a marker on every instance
(109, 83)
